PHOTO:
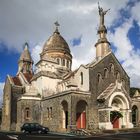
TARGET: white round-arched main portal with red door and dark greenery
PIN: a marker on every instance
(119, 113)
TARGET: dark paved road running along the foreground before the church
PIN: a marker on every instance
(125, 136)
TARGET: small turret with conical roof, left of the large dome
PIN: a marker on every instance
(25, 62)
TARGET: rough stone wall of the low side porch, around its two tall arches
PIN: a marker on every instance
(55, 121)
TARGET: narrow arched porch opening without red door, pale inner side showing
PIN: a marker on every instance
(64, 114)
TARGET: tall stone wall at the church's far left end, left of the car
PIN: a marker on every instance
(9, 110)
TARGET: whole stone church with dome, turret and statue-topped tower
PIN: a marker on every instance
(95, 95)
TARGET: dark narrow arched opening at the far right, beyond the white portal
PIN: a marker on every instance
(135, 115)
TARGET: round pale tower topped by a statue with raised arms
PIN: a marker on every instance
(102, 45)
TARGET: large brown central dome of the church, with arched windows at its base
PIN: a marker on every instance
(56, 48)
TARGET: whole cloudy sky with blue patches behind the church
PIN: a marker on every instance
(32, 21)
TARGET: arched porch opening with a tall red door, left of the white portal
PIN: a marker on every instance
(81, 114)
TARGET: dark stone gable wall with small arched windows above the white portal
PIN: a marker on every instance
(96, 86)
